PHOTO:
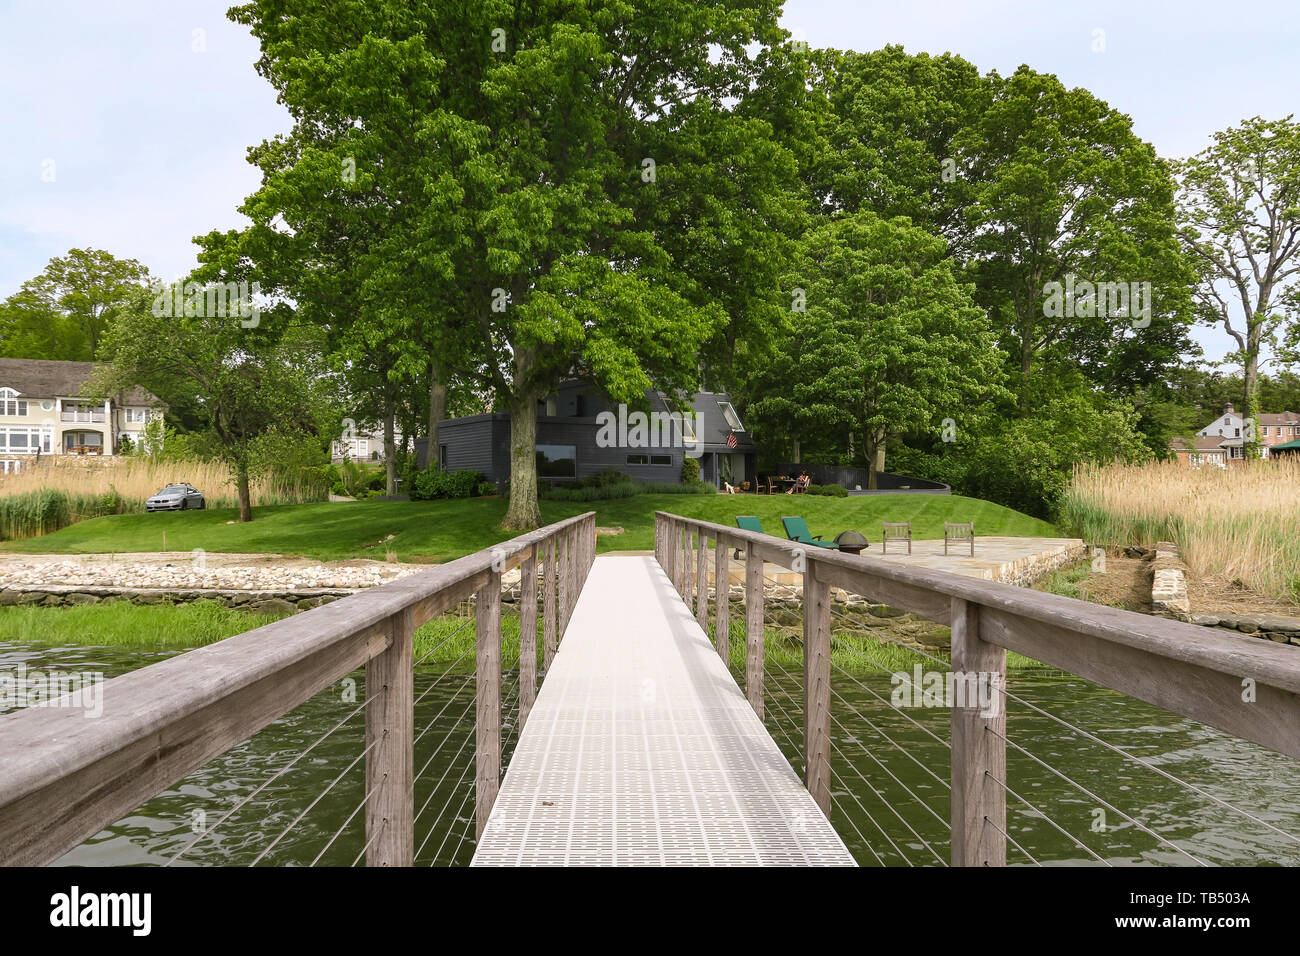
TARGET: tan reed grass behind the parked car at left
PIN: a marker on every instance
(41, 500)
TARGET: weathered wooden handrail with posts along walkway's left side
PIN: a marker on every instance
(64, 777)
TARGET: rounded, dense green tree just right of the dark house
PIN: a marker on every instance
(890, 343)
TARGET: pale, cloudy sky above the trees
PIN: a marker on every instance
(125, 124)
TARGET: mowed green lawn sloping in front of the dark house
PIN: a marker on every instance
(439, 531)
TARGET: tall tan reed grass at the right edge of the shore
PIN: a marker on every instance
(1240, 525)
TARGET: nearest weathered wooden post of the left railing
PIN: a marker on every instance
(391, 767)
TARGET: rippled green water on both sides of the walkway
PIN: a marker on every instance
(890, 785)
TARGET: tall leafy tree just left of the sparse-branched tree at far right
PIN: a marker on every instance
(1065, 192)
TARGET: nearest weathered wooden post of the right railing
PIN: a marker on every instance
(980, 746)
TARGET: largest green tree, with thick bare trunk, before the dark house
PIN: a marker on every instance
(515, 150)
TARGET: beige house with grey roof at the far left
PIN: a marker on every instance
(42, 413)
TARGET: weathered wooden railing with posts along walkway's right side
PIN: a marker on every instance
(1243, 686)
